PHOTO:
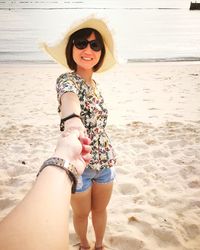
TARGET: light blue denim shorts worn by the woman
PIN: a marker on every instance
(90, 176)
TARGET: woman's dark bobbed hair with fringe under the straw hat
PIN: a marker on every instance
(83, 34)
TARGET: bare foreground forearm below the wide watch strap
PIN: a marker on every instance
(40, 220)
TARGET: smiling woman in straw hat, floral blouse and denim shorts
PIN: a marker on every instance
(87, 48)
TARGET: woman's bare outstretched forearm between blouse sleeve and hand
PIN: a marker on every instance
(70, 104)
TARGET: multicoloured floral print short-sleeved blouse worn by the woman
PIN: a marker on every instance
(93, 115)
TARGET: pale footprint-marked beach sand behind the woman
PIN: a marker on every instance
(154, 125)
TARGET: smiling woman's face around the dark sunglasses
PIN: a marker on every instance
(86, 58)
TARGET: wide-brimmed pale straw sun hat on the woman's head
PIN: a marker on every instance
(58, 51)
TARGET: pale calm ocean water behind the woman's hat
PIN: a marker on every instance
(148, 30)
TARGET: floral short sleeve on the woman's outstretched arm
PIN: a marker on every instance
(64, 84)
